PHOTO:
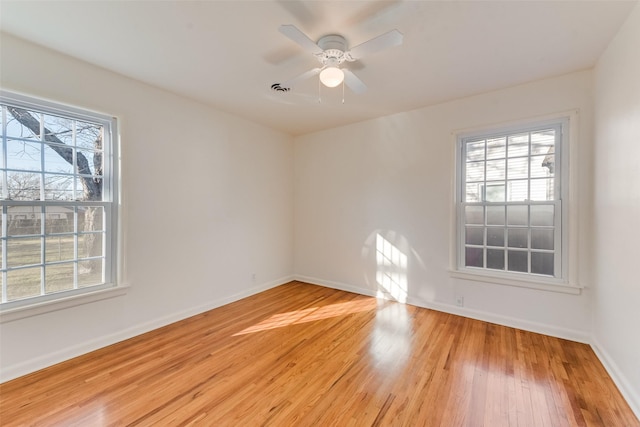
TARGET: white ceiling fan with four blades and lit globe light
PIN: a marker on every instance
(332, 52)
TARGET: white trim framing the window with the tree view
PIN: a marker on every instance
(113, 288)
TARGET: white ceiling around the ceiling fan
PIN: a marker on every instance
(228, 53)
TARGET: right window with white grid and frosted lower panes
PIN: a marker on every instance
(510, 202)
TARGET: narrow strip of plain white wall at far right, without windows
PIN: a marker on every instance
(616, 207)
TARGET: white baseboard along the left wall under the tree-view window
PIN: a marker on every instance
(37, 363)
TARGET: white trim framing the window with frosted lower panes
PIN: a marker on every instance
(569, 175)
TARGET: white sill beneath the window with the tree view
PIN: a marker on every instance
(22, 312)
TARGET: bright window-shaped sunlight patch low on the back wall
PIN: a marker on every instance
(391, 271)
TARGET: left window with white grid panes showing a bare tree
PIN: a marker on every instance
(58, 199)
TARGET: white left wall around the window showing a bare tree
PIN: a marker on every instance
(207, 201)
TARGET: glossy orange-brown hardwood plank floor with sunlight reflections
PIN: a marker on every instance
(310, 356)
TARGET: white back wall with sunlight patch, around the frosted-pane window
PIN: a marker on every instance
(393, 176)
